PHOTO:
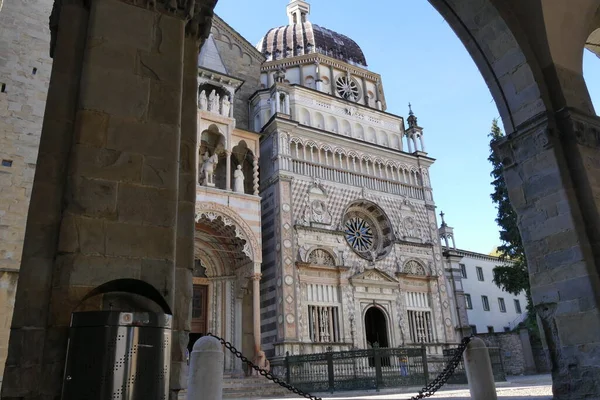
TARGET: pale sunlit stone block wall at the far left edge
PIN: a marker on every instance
(25, 68)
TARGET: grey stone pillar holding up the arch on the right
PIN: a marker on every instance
(551, 168)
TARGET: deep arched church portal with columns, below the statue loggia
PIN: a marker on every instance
(223, 293)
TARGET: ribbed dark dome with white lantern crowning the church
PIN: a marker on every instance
(301, 38)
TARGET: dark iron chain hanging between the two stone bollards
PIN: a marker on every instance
(426, 391)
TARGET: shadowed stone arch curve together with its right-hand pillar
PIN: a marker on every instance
(532, 65)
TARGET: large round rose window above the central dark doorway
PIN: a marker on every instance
(368, 230)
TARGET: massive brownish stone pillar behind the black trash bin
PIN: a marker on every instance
(105, 198)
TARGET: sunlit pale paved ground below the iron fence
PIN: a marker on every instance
(533, 387)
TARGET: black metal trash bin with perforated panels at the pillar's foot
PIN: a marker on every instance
(114, 355)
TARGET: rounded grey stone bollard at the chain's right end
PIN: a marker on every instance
(479, 371)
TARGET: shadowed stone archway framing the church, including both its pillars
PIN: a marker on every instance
(551, 157)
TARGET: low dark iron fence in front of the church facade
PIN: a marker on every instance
(374, 368)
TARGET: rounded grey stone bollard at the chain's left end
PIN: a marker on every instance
(205, 381)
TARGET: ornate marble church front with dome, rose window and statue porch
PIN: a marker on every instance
(350, 256)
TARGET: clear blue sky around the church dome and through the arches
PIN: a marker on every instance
(421, 61)
